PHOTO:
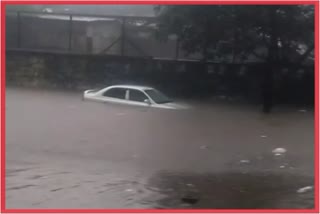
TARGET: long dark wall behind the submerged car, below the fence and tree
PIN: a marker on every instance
(174, 78)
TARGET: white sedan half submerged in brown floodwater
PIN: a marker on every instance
(132, 95)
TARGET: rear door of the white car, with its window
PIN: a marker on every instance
(115, 95)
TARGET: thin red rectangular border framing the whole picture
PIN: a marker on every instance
(316, 122)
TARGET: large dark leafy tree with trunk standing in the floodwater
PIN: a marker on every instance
(276, 34)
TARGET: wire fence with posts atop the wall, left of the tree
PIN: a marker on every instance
(110, 35)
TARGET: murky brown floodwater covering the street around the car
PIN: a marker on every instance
(62, 152)
